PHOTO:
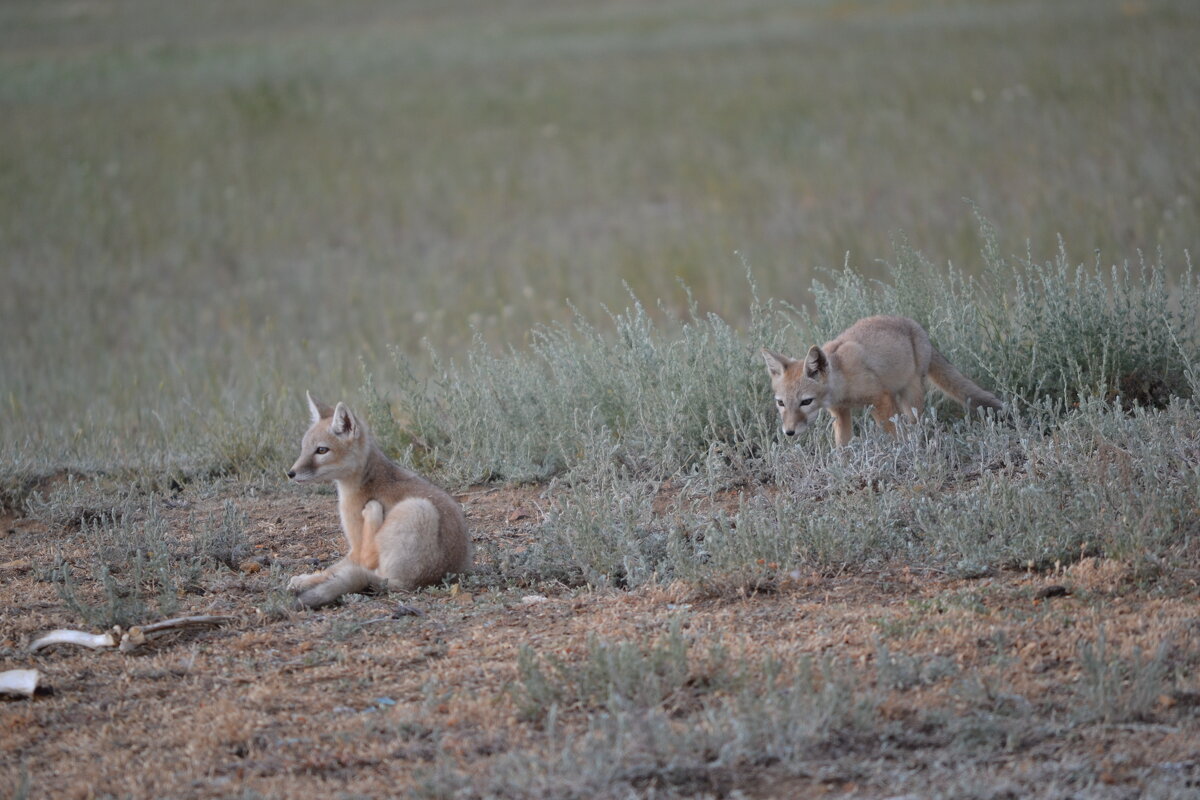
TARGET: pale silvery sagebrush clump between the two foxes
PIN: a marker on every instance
(665, 392)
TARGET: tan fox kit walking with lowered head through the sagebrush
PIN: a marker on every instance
(879, 362)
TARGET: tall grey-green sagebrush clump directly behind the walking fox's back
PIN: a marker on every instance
(1033, 330)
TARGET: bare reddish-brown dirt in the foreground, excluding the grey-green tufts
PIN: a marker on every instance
(358, 700)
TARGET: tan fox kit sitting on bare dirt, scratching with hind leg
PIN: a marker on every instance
(404, 532)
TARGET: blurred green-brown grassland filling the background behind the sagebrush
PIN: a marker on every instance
(208, 208)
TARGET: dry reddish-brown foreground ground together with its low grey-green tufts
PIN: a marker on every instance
(981, 685)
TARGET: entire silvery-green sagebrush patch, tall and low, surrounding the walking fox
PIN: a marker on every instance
(659, 440)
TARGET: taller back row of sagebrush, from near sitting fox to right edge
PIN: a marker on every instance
(674, 394)
